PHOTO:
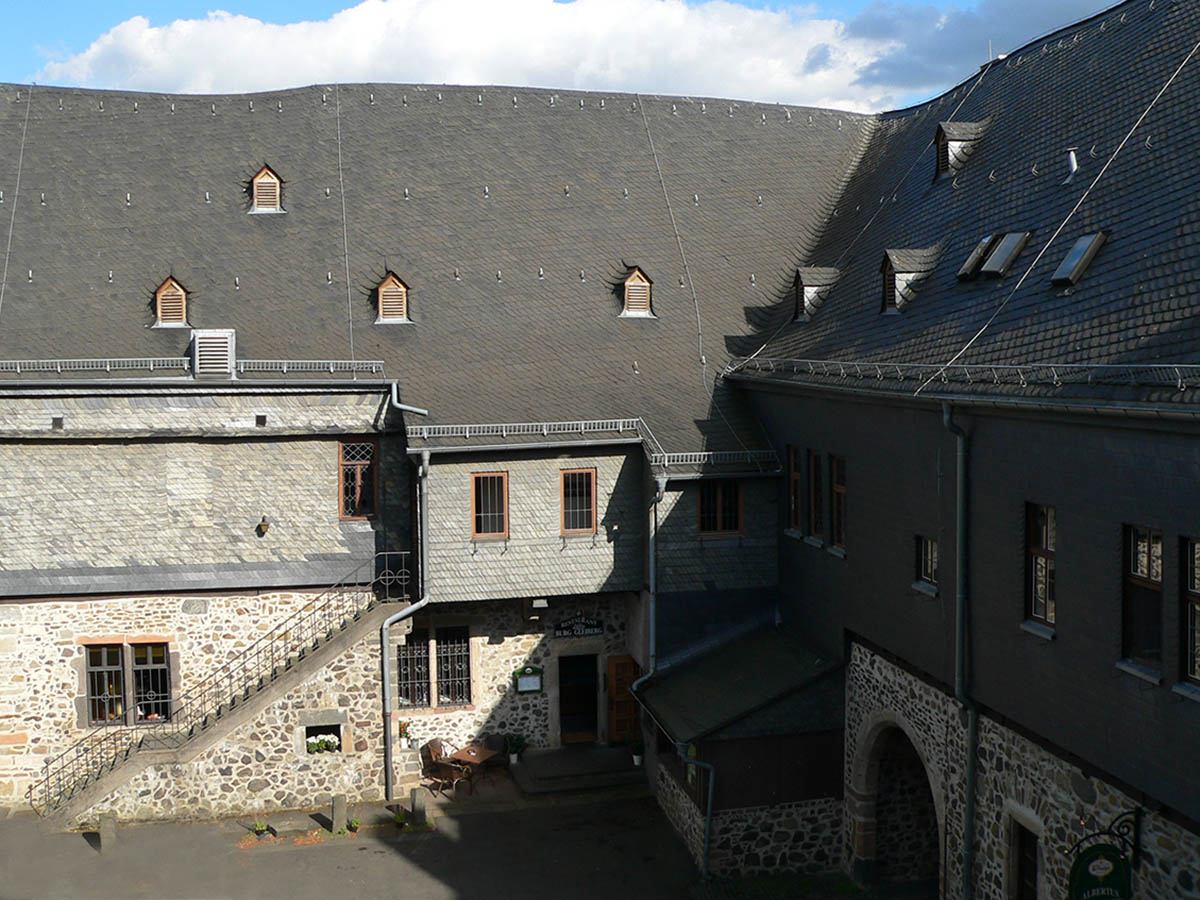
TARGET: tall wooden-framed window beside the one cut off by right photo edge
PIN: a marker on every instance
(1142, 627)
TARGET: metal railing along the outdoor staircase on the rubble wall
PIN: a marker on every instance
(385, 579)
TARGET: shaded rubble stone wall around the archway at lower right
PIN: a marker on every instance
(1019, 782)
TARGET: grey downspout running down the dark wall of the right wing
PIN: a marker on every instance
(961, 645)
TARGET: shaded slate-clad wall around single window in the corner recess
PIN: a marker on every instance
(688, 561)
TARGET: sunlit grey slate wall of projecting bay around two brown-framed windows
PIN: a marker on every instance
(536, 560)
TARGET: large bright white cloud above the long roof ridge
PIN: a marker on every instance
(715, 49)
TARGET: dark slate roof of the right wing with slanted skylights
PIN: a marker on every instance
(1057, 165)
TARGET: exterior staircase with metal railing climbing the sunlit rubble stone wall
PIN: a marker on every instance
(233, 694)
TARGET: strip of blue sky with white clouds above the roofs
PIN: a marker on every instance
(862, 55)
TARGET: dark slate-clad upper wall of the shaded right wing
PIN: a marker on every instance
(1099, 479)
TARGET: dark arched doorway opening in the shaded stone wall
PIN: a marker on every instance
(896, 817)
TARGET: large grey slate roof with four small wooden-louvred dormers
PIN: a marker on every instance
(473, 241)
